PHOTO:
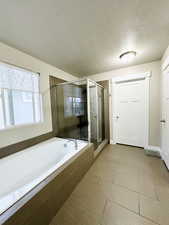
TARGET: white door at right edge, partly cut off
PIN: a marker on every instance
(165, 118)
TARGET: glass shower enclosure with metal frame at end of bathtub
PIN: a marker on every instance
(79, 110)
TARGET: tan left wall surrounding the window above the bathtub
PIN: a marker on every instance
(13, 56)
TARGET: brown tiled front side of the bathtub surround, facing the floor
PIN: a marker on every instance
(44, 205)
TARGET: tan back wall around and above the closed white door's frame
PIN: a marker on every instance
(154, 67)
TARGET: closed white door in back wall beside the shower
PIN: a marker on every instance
(130, 112)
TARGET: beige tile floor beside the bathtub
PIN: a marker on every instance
(123, 187)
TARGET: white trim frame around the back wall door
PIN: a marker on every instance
(124, 78)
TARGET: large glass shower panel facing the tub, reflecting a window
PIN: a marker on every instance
(69, 101)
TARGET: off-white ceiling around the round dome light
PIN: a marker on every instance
(84, 37)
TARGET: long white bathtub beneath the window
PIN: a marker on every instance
(23, 171)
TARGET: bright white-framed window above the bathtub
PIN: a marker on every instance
(20, 99)
